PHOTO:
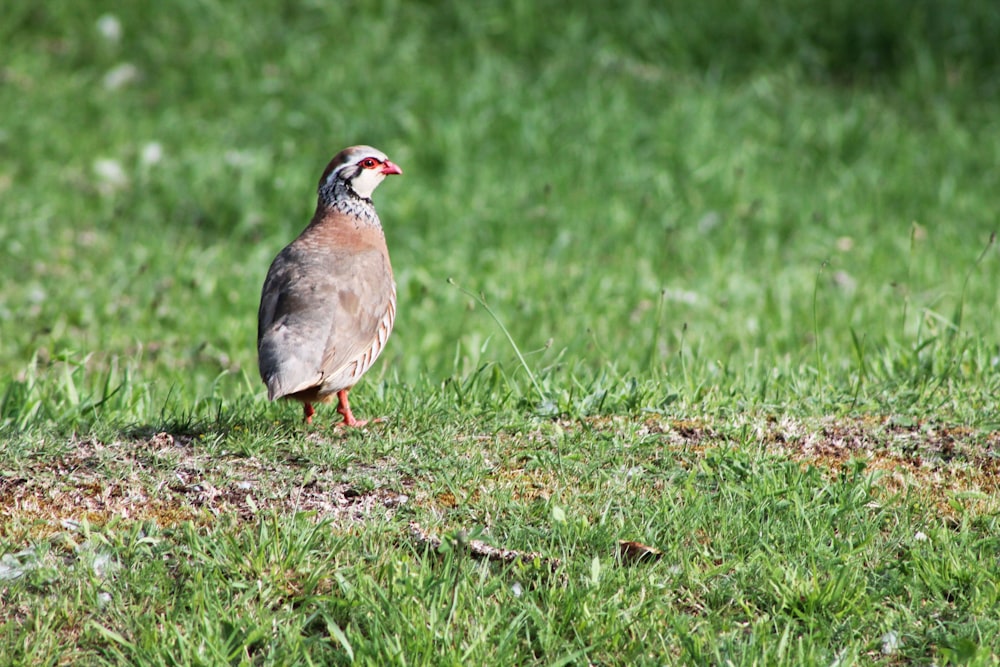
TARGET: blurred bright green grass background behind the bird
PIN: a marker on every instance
(781, 205)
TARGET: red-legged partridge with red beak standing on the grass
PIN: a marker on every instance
(328, 302)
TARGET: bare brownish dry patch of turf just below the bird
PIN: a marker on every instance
(169, 480)
